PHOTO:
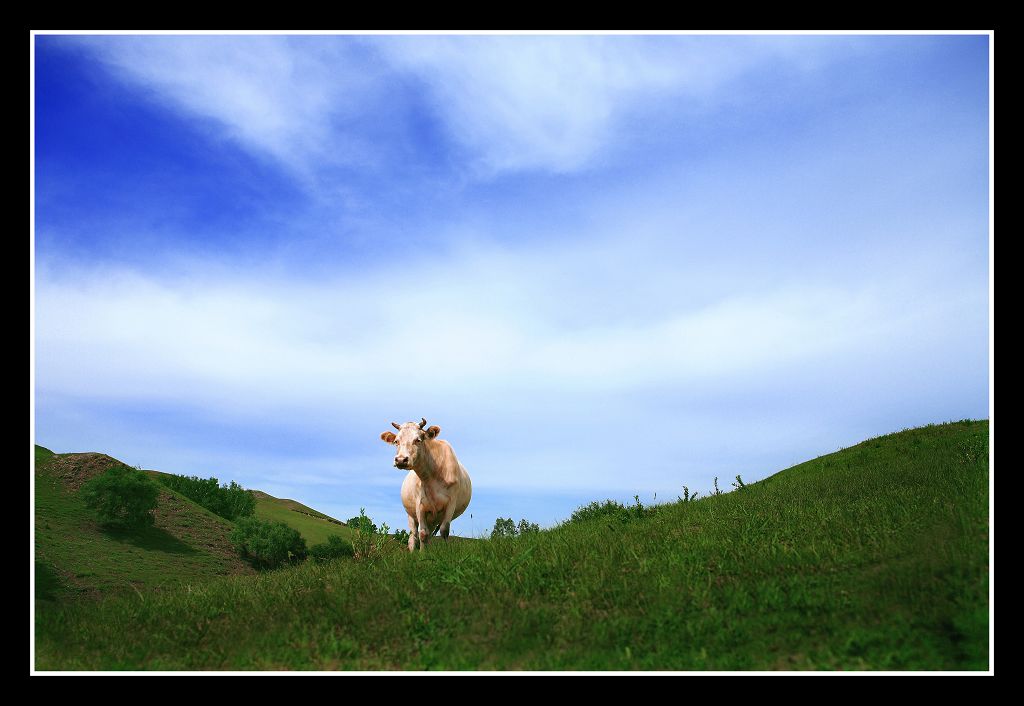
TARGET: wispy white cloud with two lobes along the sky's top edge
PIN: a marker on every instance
(510, 104)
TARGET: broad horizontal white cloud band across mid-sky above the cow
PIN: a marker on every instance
(468, 325)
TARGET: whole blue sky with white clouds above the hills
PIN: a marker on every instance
(606, 266)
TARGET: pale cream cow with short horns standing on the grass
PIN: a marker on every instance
(438, 488)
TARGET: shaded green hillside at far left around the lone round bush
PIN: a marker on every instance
(79, 558)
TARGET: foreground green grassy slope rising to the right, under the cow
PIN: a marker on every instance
(872, 558)
